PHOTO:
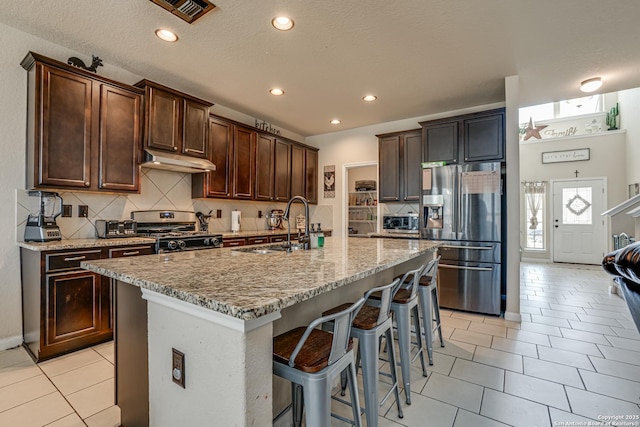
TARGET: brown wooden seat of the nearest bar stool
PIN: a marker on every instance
(314, 356)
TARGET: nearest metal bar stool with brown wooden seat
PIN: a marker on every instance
(312, 359)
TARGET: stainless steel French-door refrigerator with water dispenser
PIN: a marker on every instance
(462, 205)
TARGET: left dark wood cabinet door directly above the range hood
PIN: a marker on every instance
(163, 120)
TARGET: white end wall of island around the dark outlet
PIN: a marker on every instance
(227, 372)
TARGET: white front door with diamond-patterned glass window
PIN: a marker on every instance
(578, 228)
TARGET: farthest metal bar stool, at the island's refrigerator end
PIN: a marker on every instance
(428, 296)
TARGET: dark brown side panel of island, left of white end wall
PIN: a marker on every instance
(131, 356)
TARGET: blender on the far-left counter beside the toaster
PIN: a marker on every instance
(42, 227)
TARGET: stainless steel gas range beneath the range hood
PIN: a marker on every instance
(174, 231)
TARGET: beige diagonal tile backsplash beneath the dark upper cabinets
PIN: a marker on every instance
(161, 190)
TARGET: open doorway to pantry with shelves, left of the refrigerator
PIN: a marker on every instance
(360, 207)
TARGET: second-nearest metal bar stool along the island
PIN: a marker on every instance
(369, 326)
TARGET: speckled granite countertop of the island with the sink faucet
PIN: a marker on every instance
(249, 285)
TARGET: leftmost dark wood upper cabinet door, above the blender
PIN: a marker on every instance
(63, 129)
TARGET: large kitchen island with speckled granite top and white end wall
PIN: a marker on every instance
(221, 308)
